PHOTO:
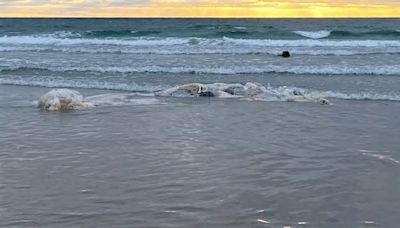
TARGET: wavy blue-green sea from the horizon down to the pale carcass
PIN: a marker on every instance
(155, 54)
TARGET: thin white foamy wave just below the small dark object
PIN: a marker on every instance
(265, 69)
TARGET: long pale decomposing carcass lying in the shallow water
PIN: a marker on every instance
(67, 99)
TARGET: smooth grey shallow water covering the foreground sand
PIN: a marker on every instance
(194, 162)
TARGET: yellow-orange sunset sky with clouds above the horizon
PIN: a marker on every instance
(200, 8)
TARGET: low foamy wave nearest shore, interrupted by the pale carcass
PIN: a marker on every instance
(149, 90)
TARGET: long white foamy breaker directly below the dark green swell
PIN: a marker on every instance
(193, 41)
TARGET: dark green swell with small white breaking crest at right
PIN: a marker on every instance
(231, 31)
